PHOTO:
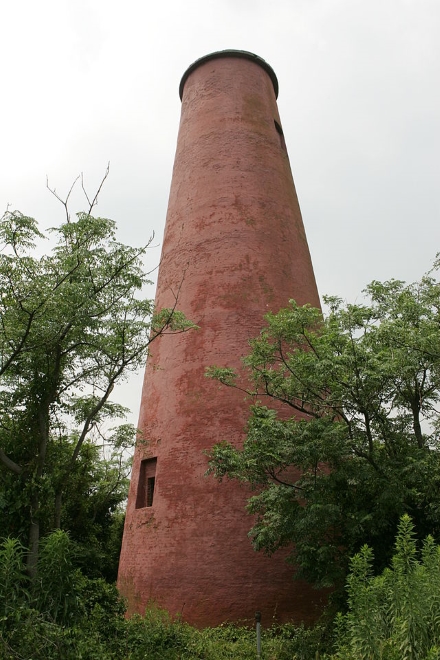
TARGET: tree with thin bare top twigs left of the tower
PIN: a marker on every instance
(73, 324)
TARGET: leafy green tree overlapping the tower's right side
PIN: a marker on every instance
(349, 439)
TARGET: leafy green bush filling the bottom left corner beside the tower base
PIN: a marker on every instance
(60, 614)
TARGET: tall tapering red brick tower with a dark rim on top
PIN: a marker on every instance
(234, 248)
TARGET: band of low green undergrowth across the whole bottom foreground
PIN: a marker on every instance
(62, 615)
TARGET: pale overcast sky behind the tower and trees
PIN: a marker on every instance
(84, 82)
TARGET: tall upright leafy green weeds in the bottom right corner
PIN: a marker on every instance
(395, 615)
